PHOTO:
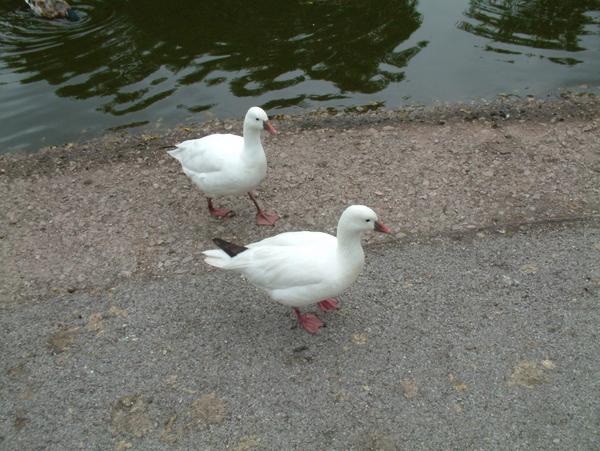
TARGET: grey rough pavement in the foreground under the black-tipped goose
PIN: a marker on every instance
(476, 341)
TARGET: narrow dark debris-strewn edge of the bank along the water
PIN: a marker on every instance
(504, 109)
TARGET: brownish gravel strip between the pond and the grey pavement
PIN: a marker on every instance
(83, 217)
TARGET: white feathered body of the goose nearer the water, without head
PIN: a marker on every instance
(221, 165)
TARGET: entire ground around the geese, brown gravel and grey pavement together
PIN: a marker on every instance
(101, 277)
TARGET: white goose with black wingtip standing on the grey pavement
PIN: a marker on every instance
(302, 268)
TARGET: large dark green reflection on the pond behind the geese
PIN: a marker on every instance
(132, 54)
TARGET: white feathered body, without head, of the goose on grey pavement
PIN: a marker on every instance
(295, 268)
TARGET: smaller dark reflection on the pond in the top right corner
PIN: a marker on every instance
(538, 24)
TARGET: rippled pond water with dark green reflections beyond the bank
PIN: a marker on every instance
(149, 64)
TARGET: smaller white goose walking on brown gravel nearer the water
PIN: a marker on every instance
(223, 165)
